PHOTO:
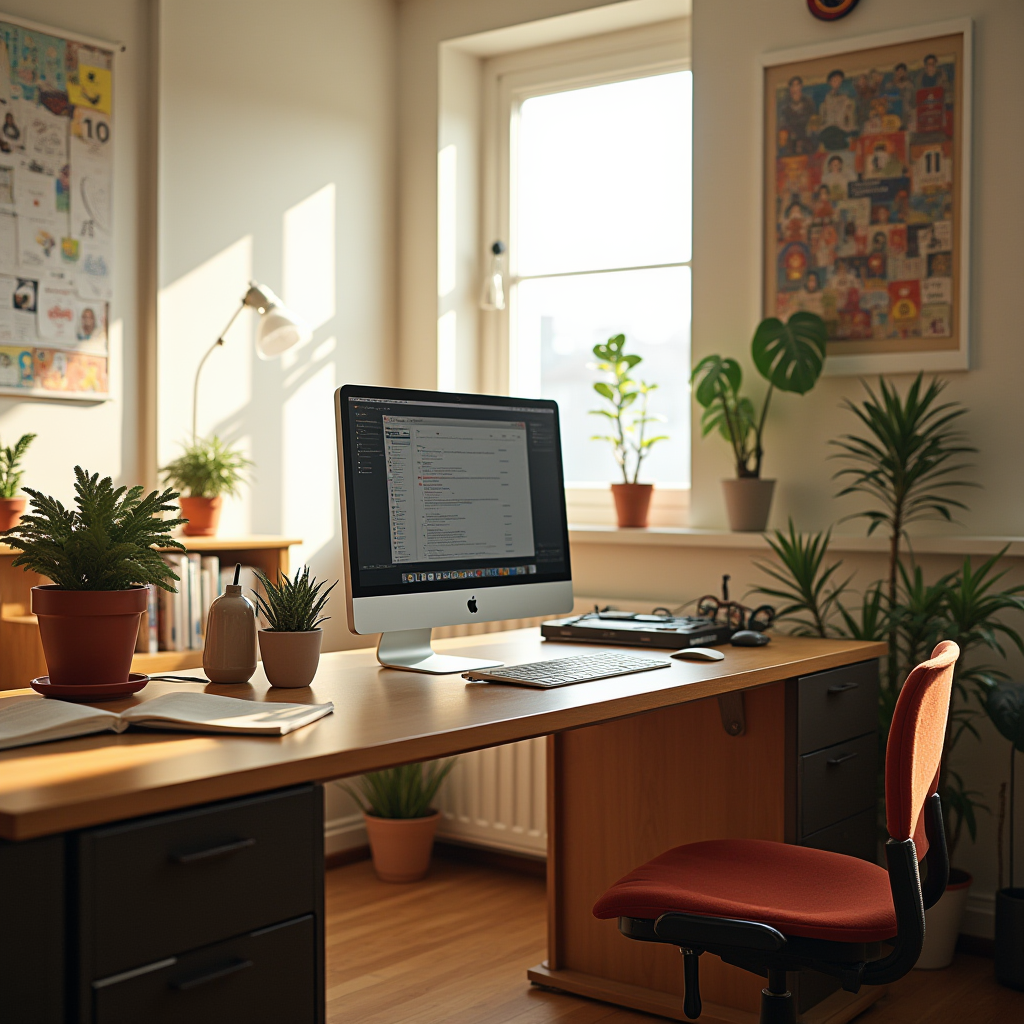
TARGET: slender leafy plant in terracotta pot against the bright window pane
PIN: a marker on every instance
(629, 420)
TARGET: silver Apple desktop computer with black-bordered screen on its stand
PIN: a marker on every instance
(453, 510)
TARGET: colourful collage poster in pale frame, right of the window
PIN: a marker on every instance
(867, 196)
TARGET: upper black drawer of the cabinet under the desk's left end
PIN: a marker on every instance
(155, 887)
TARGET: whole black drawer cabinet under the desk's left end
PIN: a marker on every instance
(211, 914)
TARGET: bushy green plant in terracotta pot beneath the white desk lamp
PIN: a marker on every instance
(206, 471)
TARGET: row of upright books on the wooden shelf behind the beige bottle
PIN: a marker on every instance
(178, 622)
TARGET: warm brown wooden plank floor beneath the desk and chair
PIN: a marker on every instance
(454, 950)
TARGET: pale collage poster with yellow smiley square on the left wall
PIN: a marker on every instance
(57, 243)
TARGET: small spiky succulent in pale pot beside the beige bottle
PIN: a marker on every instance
(290, 646)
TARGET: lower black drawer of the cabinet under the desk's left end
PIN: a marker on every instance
(266, 977)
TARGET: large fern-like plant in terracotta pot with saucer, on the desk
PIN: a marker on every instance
(101, 557)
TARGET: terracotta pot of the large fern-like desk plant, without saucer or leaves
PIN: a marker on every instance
(89, 635)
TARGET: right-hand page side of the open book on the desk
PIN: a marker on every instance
(211, 713)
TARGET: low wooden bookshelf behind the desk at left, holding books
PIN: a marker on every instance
(22, 654)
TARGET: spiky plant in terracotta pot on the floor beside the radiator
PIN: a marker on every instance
(401, 823)
